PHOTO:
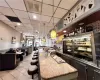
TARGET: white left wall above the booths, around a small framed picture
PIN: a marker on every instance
(6, 34)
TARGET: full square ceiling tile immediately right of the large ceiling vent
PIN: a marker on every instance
(47, 10)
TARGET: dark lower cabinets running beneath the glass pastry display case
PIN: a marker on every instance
(85, 71)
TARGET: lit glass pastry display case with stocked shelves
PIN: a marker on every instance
(81, 46)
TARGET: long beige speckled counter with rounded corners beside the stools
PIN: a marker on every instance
(51, 70)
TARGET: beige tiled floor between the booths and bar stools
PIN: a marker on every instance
(20, 72)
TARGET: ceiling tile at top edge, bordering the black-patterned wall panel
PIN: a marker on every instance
(67, 4)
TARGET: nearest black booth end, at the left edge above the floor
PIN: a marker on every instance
(7, 61)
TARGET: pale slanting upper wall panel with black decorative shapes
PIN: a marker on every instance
(78, 11)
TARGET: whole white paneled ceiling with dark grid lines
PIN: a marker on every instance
(33, 15)
